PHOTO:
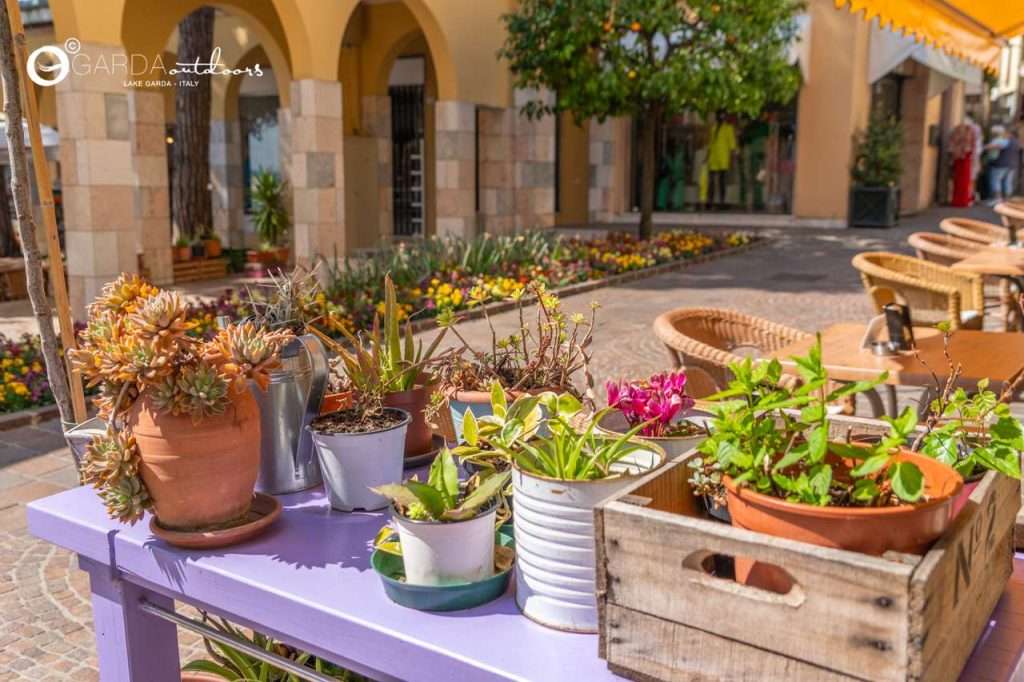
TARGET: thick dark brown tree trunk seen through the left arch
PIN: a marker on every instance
(191, 204)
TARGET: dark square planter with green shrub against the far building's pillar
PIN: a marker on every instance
(876, 175)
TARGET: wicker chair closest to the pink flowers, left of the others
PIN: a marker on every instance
(704, 340)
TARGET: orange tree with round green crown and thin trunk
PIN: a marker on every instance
(652, 60)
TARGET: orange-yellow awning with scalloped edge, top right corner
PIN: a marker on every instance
(971, 30)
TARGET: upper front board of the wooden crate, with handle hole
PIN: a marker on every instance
(856, 600)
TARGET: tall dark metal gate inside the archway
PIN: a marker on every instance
(407, 159)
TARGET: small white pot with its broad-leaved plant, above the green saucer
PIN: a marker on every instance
(447, 528)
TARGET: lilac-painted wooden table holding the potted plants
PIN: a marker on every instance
(308, 582)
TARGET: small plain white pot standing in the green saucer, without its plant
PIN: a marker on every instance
(448, 553)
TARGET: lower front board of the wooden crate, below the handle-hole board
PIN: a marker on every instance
(671, 652)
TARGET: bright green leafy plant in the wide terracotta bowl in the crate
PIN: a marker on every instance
(776, 441)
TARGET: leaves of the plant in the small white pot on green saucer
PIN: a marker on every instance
(443, 497)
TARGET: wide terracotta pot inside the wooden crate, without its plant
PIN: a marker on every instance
(908, 529)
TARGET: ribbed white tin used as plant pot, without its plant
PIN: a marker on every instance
(554, 540)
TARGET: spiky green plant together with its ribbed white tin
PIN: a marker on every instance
(558, 480)
